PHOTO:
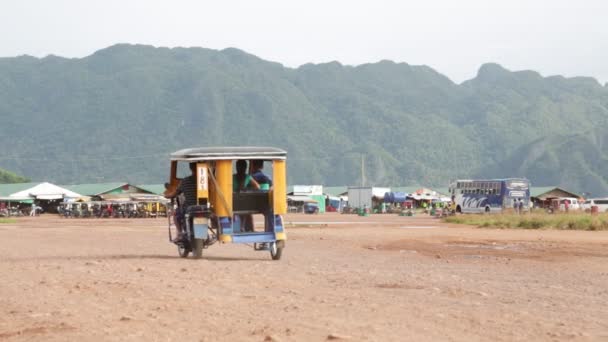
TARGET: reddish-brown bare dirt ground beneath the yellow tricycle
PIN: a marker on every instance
(342, 277)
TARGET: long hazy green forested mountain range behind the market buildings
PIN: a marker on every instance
(117, 114)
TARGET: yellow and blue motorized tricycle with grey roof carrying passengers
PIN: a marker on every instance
(222, 214)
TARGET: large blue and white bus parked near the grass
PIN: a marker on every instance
(489, 196)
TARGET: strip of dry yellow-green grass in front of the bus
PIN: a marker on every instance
(570, 221)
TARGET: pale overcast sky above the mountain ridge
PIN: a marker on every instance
(454, 37)
